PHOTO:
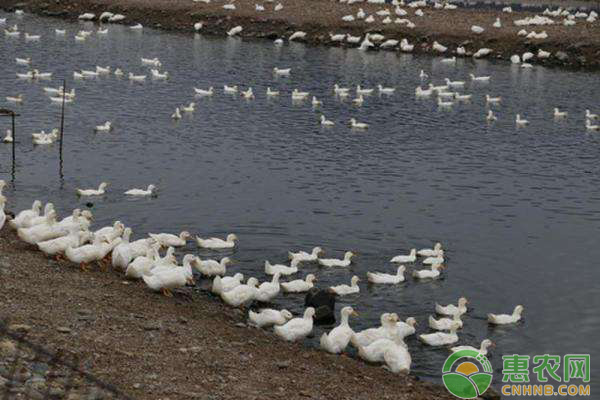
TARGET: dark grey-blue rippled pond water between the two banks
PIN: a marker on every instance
(517, 209)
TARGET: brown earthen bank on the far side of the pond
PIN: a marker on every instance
(574, 47)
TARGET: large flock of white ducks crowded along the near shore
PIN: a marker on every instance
(74, 239)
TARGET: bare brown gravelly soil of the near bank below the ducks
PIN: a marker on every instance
(188, 346)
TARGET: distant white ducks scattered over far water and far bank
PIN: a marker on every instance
(448, 93)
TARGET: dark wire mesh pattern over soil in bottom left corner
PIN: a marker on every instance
(30, 371)
